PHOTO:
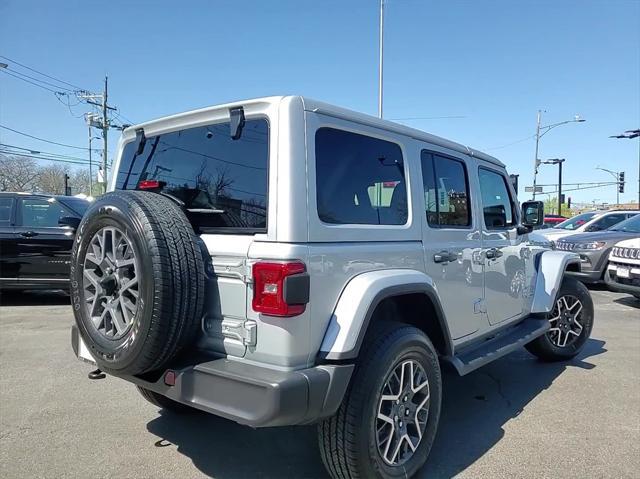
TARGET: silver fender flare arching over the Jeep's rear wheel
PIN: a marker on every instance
(357, 302)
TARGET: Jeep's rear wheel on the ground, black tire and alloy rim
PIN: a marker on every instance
(387, 422)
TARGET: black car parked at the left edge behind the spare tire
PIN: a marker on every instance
(36, 236)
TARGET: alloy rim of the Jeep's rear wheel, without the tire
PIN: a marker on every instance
(403, 410)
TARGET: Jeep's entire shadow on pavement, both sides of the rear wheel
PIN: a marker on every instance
(475, 408)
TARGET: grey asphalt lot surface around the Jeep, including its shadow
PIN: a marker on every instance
(514, 418)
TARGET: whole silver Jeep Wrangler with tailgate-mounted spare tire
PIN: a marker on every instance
(282, 261)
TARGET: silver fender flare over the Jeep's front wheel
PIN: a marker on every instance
(550, 272)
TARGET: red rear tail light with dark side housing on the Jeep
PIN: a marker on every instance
(280, 289)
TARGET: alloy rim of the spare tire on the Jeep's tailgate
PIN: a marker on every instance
(110, 282)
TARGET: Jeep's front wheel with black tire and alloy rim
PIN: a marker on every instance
(571, 322)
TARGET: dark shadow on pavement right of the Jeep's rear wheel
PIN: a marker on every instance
(476, 407)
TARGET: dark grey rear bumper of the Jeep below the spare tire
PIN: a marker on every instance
(253, 395)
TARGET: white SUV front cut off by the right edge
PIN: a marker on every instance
(623, 272)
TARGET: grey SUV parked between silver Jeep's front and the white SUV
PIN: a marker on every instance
(594, 248)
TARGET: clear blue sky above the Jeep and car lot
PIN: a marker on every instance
(493, 62)
